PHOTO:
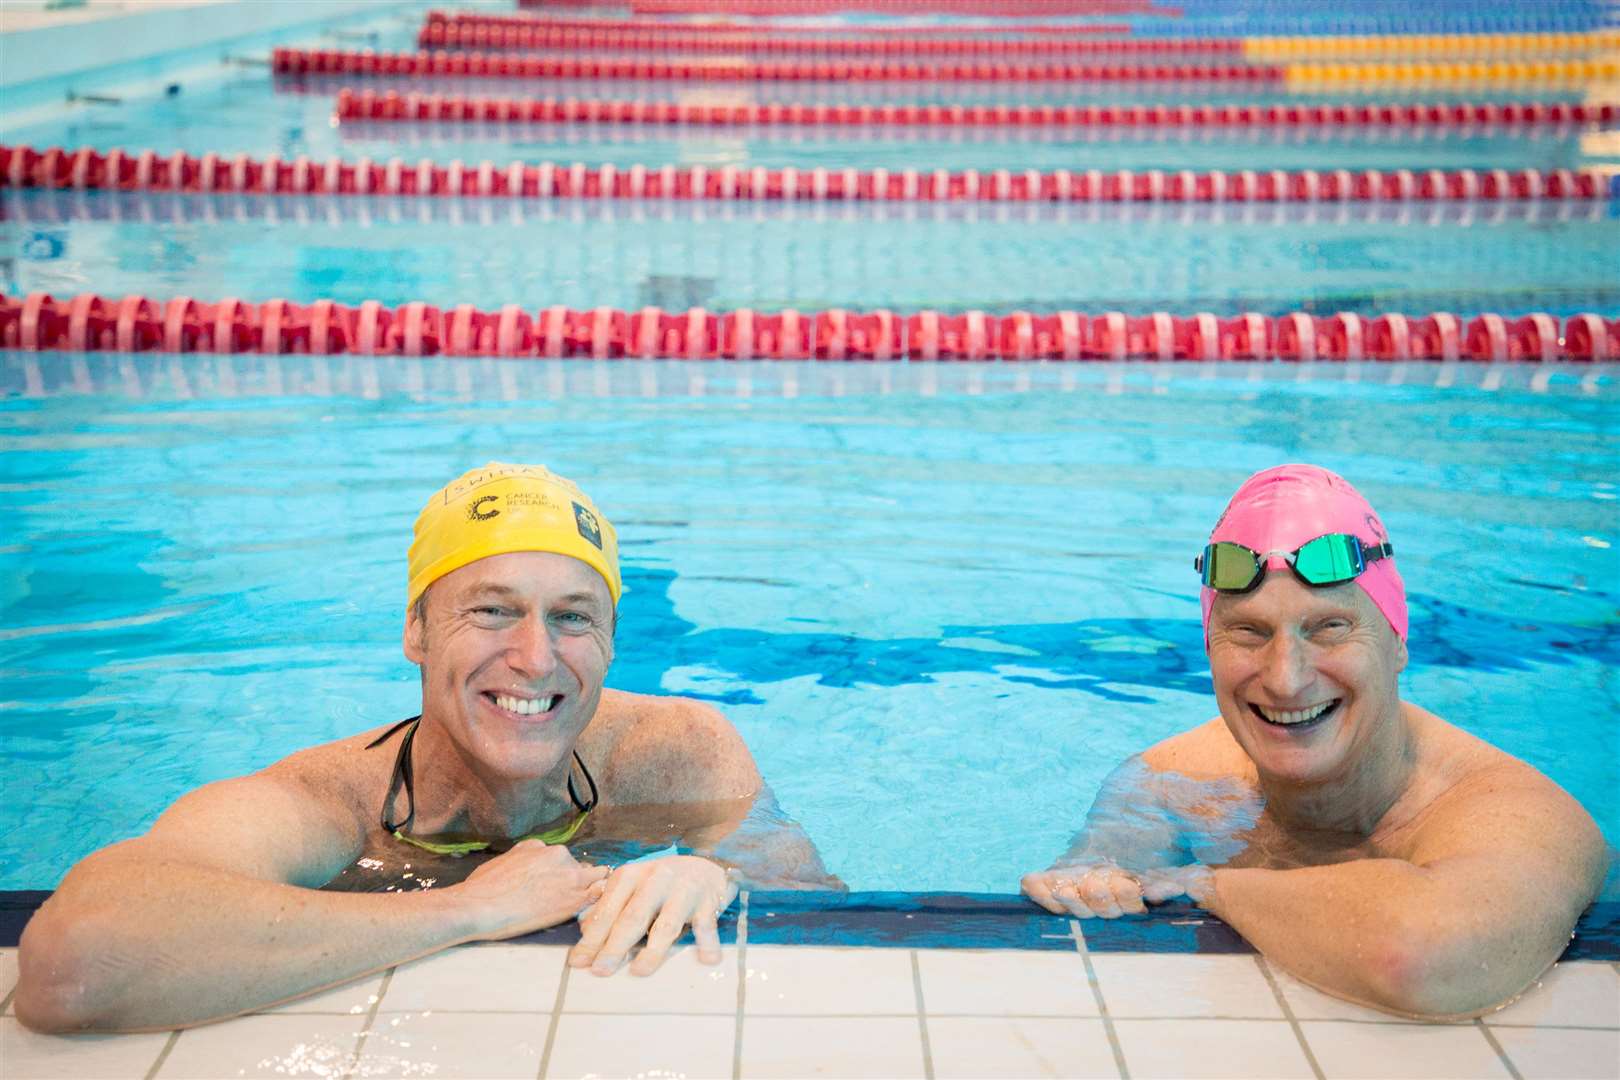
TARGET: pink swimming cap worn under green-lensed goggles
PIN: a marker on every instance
(1281, 509)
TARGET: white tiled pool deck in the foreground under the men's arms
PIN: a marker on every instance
(801, 1011)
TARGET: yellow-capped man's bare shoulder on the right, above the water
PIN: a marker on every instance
(668, 749)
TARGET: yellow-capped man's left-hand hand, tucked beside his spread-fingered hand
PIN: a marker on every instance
(531, 888)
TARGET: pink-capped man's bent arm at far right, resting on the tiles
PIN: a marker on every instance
(1486, 903)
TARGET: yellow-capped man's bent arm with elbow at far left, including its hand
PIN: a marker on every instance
(208, 916)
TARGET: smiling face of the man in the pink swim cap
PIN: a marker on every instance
(1305, 678)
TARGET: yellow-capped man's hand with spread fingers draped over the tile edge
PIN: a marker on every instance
(655, 901)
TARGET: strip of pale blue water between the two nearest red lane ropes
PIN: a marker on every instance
(628, 255)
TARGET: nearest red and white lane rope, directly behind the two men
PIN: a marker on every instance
(88, 323)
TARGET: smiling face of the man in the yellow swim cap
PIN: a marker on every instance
(514, 650)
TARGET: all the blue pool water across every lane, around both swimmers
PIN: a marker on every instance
(940, 602)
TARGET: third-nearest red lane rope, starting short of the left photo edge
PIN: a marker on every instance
(456, 109)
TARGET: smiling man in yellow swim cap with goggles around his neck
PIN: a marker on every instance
(511, 611)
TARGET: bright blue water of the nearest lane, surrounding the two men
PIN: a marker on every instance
(940, 602)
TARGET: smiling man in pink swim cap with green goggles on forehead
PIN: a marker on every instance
(1358, 841)
